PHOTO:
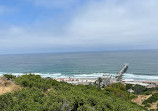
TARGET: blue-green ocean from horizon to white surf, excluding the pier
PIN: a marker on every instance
(143, 64)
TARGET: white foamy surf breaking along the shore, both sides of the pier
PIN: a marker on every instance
(92, 75)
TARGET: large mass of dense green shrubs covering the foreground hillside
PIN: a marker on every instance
(41, 94)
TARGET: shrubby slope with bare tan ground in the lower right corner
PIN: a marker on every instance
(144, 96)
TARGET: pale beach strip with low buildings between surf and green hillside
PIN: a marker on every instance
(105, 81)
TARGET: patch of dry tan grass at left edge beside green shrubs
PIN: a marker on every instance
(7, 86)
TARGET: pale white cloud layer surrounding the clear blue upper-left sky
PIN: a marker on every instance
(107, 24)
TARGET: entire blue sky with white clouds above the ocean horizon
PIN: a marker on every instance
(41, 26)
